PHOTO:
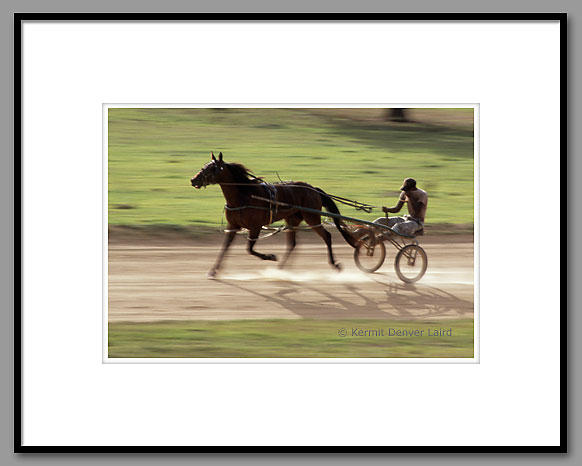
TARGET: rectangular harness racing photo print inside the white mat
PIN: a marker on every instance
(291, 233)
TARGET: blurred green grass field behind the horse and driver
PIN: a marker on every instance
(154, 152)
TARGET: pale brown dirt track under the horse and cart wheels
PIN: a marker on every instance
(151, 281)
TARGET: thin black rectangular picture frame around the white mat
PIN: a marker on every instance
(19, 18)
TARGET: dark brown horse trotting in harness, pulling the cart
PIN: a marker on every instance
(245, 211)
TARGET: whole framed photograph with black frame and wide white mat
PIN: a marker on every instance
(290, 232)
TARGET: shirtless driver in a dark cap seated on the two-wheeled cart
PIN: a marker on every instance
(416, 200)
